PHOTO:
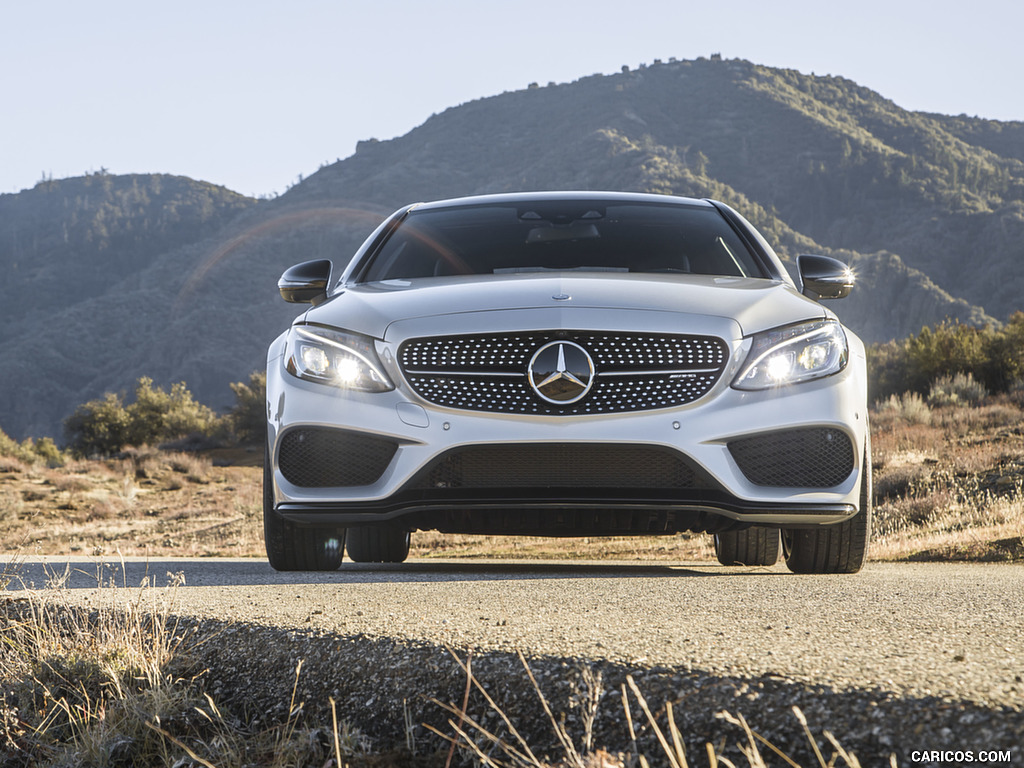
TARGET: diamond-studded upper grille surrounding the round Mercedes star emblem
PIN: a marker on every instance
(632, 372)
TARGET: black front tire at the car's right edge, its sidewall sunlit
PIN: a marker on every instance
(834, 549)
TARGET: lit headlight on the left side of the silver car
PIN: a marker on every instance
(344, 360)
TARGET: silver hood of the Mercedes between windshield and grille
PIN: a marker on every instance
(753, 305)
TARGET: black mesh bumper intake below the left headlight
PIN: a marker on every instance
(316, 457)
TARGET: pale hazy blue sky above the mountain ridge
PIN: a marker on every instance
(252, 95)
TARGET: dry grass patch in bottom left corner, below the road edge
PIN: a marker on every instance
(115, 687)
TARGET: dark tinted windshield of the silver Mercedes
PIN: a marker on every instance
(562, 236)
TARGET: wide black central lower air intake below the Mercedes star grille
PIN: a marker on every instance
(560, 465)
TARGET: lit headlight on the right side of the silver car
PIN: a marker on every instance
(795, 354)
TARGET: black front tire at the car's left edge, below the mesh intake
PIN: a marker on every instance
(291, 547)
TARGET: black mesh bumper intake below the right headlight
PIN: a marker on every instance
(817, 458)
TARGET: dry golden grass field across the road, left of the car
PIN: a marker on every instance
(144, 503)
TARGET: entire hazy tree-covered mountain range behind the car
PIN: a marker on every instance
(115, 278)
